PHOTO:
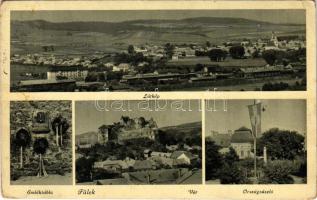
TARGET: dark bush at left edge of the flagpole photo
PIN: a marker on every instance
(214, 160)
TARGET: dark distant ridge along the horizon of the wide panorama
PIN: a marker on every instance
(111, 27)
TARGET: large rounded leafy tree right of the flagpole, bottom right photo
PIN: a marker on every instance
(281, 144)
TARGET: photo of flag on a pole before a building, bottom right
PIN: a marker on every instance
(257, 142)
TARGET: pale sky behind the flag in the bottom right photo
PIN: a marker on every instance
(283, 114)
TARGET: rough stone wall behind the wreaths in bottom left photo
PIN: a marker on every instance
(57, 160)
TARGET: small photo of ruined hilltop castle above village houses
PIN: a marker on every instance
(138, 142)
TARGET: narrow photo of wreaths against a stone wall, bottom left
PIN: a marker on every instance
(40, 143)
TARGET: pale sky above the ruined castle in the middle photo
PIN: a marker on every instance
(89, 117)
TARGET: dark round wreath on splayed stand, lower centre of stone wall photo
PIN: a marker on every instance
(40, 146)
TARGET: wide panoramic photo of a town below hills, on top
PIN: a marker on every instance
(158, 50)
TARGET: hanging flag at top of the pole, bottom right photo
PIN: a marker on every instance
(255, 118)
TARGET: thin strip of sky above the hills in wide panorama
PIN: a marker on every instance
(273, 16)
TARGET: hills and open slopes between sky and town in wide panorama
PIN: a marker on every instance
(87, 37)
